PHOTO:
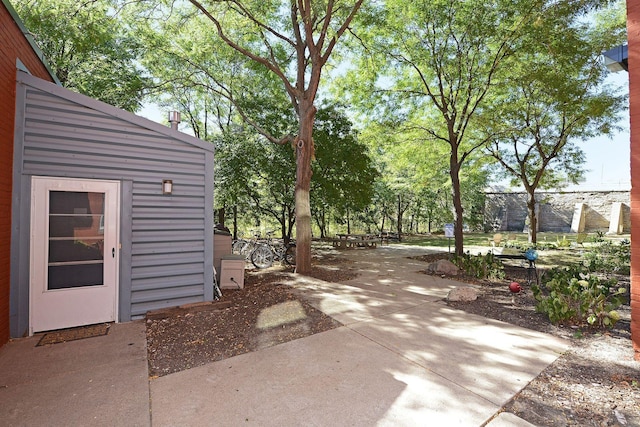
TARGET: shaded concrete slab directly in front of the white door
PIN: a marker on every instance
(100, 381)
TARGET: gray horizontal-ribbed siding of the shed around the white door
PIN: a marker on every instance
(168, 232)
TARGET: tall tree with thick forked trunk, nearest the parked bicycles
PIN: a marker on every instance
(292, 40)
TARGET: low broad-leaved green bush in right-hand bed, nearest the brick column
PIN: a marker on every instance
(575, 296)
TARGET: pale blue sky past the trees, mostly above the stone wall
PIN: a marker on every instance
(608, 164)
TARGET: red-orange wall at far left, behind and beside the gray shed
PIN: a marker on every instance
(13, 45)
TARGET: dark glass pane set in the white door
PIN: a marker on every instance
(76, 239)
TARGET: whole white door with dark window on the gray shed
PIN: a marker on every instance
(74, 252)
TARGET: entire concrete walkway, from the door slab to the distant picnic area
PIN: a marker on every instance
(402, 358)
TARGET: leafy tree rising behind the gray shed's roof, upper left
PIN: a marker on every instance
(88, 48)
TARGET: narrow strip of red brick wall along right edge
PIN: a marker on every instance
(633, 35)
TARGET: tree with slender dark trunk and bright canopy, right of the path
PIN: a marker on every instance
(439, 62)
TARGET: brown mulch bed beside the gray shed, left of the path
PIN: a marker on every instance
(263, 314)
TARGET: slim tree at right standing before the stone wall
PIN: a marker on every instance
(552, 98)
